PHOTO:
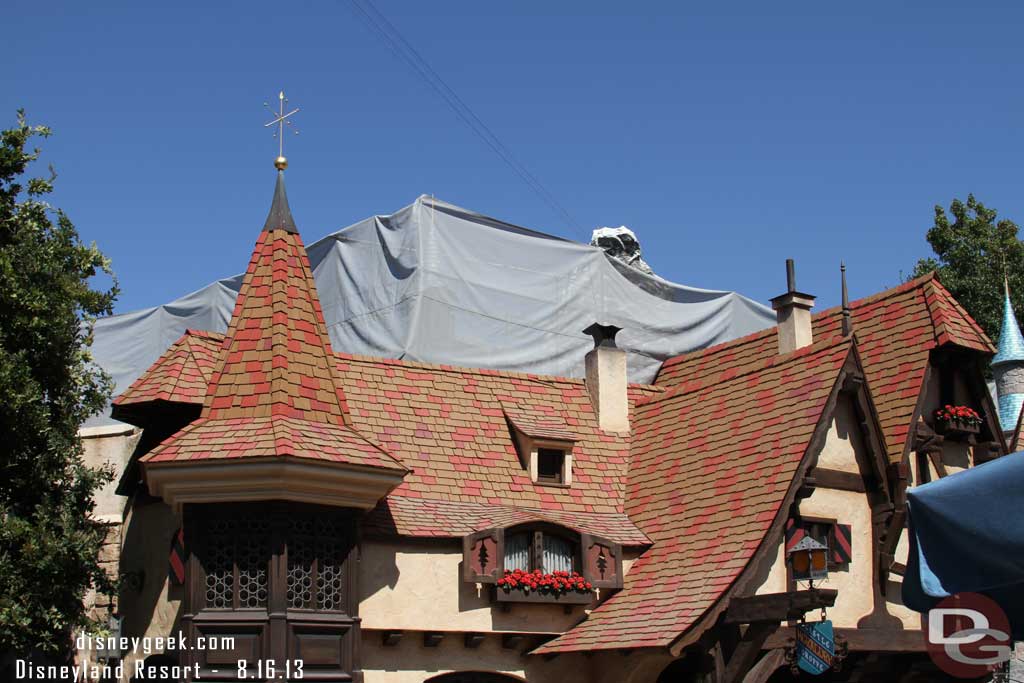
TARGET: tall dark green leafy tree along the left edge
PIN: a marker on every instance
(49, 387)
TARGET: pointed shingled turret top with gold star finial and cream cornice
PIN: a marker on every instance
(274, 396)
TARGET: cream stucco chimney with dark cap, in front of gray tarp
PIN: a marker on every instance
(607, 379)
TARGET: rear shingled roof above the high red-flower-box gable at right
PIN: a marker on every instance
(897, 330)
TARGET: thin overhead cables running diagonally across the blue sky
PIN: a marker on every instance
(370, 16)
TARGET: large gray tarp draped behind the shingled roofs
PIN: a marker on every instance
(440, 284)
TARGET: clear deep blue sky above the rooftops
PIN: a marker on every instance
(730, 137)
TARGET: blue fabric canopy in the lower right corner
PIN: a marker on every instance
(967, 535)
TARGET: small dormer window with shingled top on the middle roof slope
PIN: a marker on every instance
(544, 443)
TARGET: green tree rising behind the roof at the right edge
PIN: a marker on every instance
(973, 251)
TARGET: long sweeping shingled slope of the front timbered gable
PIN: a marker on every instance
(713, 462)
